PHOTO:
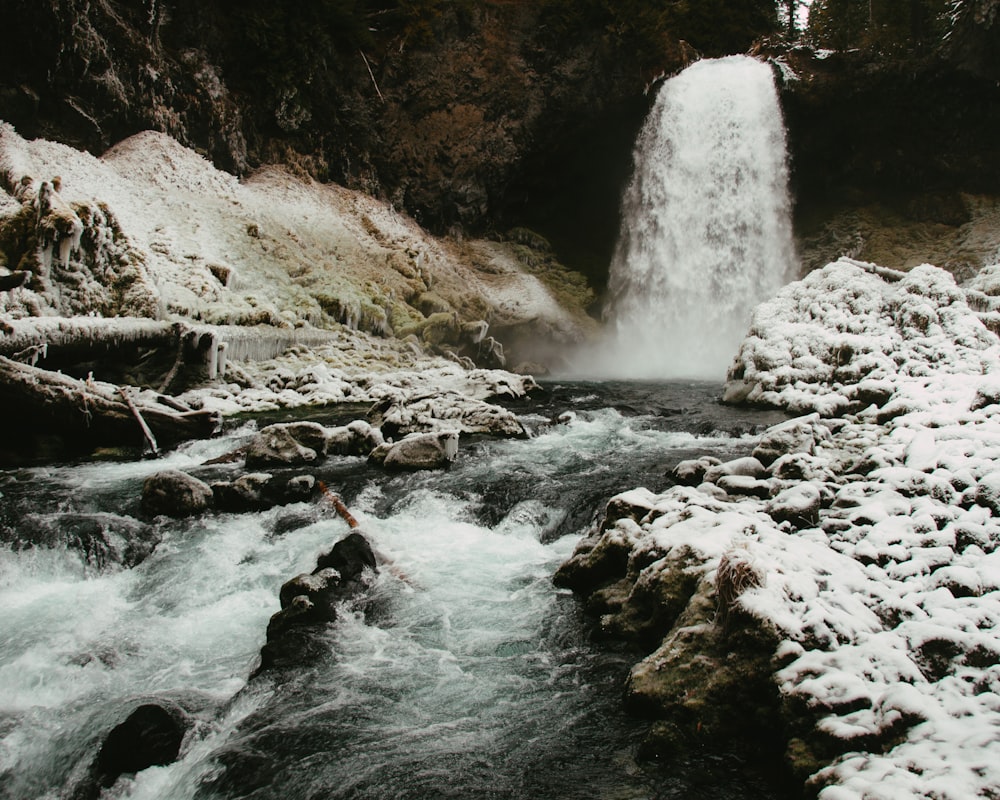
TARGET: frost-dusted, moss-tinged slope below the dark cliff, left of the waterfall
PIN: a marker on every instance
(167, 235)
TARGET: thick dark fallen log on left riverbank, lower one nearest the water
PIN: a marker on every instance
(89, 412)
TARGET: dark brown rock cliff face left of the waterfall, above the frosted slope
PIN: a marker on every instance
(463, 116)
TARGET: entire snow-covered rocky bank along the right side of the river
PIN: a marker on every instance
(876, 537)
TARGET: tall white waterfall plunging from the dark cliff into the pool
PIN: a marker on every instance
(706, 231)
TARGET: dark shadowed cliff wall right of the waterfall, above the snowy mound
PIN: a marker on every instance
(893, 160)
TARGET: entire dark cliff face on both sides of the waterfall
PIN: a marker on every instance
(476, 117)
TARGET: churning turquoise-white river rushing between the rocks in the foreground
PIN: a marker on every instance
(472, 676)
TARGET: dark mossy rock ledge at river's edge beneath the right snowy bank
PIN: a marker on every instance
(706, 681)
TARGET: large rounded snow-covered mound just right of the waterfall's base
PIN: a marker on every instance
(837, 339)
